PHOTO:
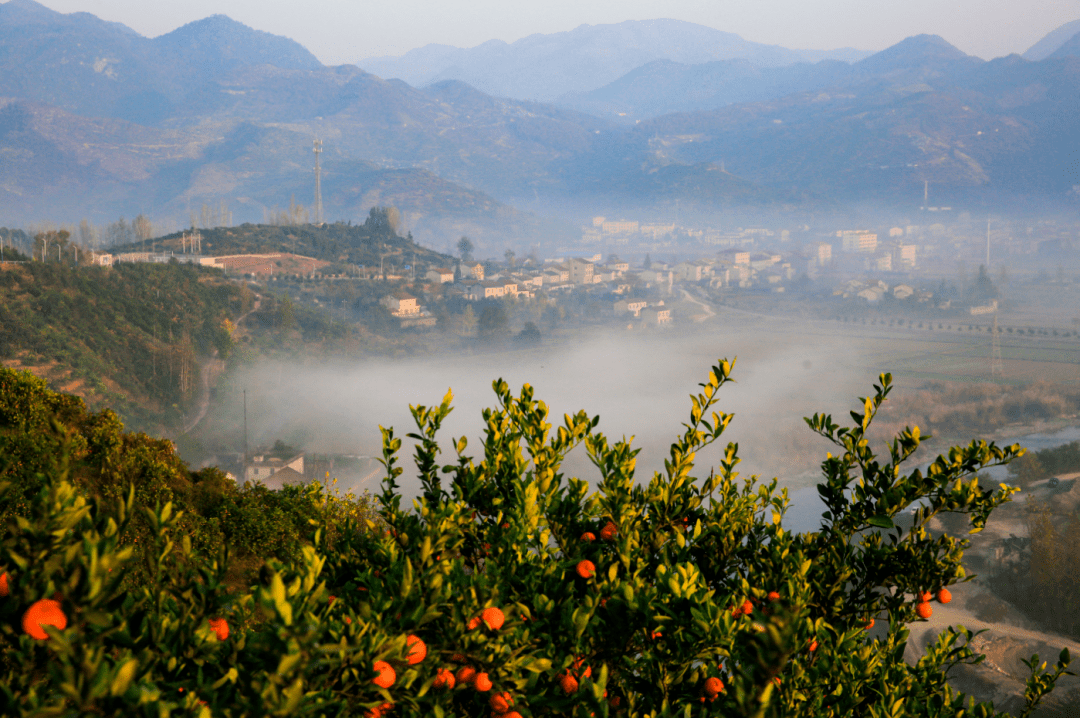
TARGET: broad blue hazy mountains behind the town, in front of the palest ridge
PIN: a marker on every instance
(98, 121)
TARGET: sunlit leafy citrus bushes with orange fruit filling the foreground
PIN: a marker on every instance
(507, 531)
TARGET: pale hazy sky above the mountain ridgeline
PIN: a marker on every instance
(341, 32)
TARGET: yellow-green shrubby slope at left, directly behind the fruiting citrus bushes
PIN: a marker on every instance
(40, 428)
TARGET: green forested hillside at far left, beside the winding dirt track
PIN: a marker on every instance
(130, 336)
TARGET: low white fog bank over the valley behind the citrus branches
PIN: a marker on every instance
(639, 385)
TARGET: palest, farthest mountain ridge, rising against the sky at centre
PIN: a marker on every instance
(545, 67)
